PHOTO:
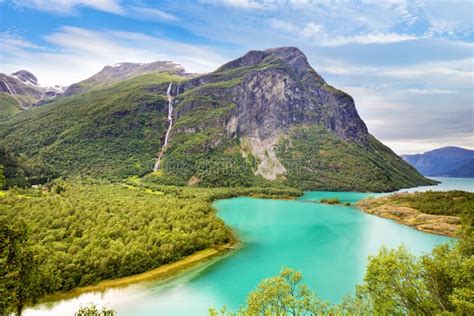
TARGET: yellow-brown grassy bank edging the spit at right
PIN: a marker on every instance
(388, 207)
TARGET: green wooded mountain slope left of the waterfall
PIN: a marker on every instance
(112, 131)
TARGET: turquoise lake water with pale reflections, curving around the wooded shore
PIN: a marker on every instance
(328, 243)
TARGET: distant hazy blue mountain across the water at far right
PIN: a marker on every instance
(446, 161)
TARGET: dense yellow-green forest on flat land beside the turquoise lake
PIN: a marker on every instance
(85, 232)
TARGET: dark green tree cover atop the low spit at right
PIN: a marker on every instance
(454, 203)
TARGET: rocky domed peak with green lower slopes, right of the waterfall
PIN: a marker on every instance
(274, 111)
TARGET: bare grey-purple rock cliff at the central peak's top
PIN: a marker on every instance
(276, 89)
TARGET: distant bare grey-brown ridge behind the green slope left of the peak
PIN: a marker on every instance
(122, 71)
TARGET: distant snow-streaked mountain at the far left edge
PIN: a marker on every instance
(21, 89)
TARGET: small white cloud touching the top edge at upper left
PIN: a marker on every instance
(68, 6)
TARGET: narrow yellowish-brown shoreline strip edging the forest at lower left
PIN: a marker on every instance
(162, 272)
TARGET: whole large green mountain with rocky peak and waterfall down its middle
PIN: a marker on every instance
(266, 118)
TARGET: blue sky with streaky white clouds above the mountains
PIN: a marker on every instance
(408, 64)
